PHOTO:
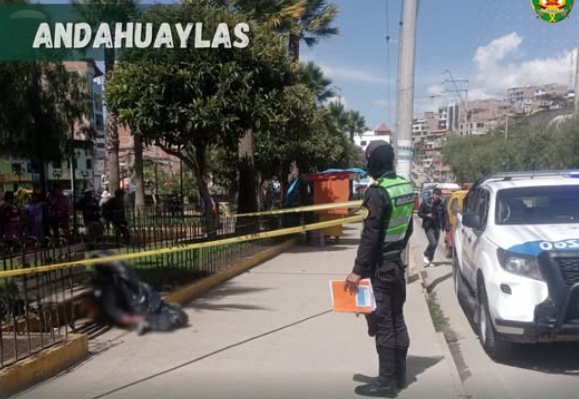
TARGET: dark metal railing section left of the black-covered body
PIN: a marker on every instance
(30, 318)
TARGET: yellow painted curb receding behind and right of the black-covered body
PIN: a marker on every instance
(196, 290)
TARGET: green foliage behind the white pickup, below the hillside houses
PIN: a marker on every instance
(528, 147)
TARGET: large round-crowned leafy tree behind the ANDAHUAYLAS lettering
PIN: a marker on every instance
(186, 110)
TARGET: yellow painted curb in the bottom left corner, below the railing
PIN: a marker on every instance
(43, 365)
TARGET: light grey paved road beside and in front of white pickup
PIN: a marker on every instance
(533, 372)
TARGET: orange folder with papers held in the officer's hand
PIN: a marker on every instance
(346, 302)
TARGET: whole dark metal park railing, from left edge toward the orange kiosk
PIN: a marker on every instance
(41, 304)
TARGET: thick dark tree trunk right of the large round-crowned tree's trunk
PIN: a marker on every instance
(247, 199)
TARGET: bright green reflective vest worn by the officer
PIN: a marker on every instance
(401, 196)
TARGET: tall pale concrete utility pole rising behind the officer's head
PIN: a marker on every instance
(405, 100)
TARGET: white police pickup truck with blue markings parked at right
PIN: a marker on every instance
(517, 258)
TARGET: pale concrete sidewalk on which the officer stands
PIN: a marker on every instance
(267, 333)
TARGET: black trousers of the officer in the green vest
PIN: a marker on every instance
(387, 323)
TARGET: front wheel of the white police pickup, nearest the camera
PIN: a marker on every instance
(494, 345)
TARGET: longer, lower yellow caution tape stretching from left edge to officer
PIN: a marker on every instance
(182, 248)
